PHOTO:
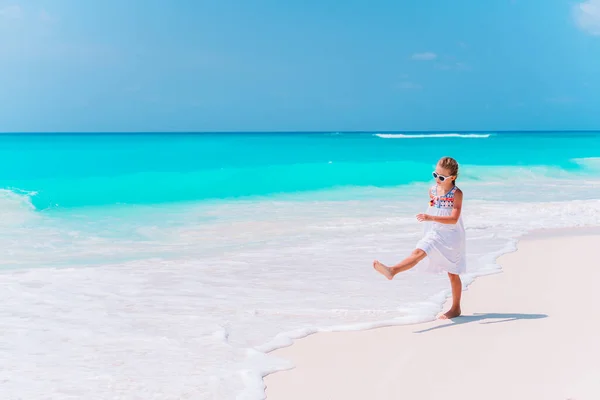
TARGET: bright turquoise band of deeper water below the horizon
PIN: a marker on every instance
(99, 169)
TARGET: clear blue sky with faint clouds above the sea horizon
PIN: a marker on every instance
(223, 65)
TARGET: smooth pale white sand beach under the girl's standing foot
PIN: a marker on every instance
(531, 332)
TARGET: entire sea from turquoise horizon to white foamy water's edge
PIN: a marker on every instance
(166, 266)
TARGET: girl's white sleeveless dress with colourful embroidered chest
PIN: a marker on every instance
(443, 243)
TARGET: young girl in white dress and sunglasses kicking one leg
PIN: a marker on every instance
(443, 244)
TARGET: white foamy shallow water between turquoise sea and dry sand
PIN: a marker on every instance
(184, 301)
